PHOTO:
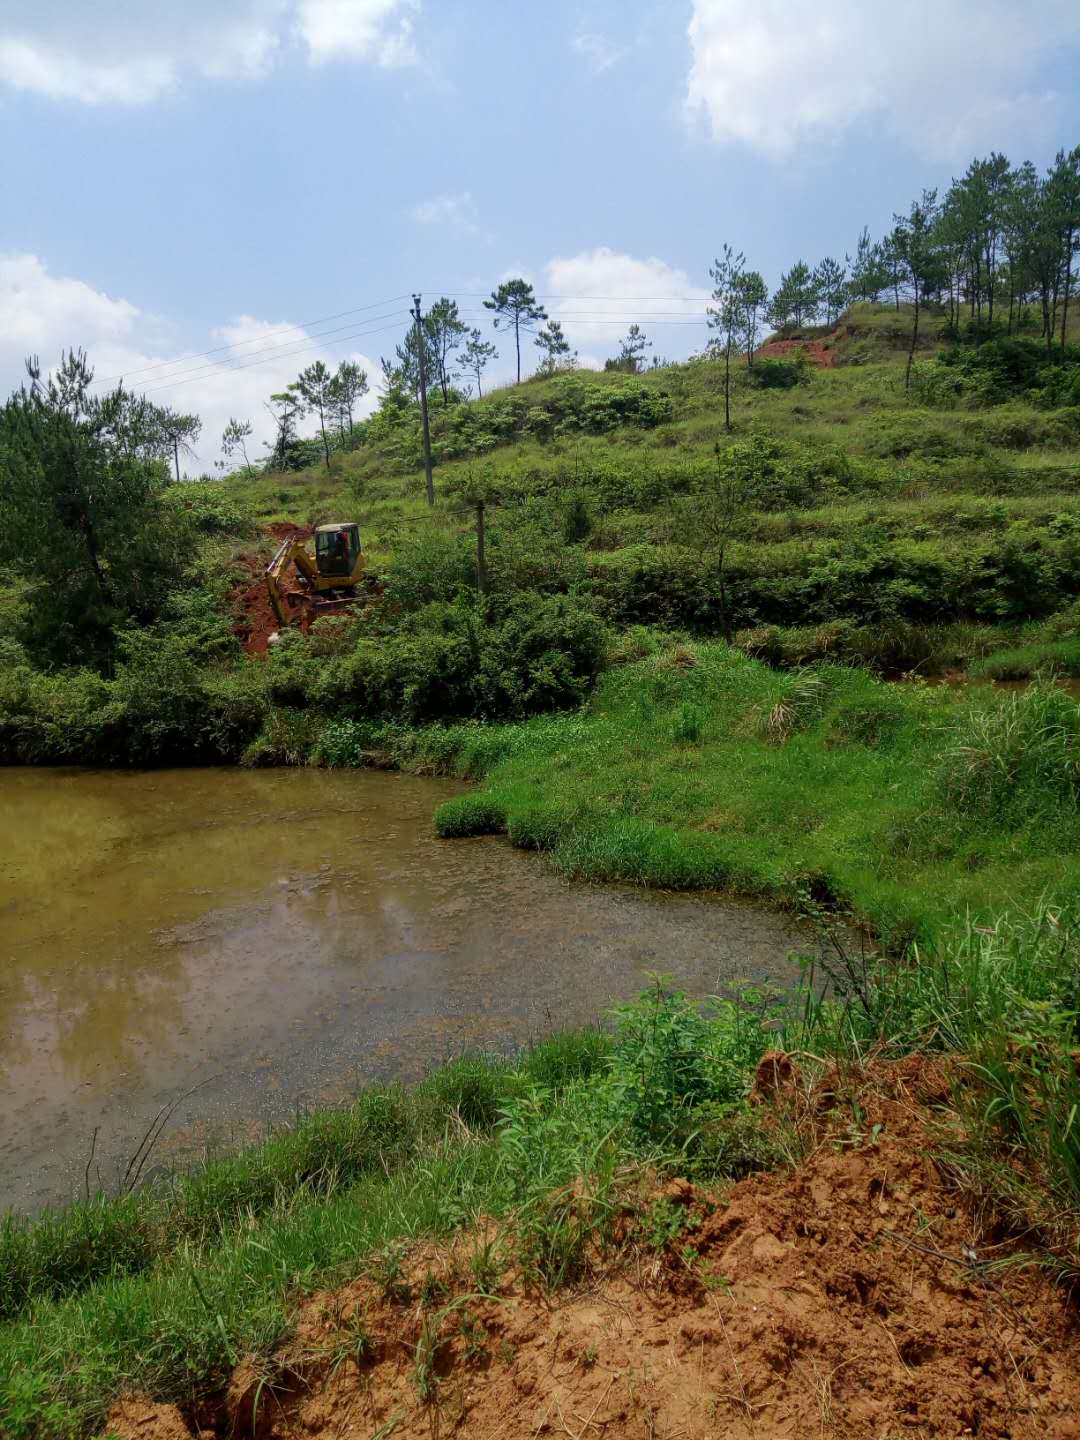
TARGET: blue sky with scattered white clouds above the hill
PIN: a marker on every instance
(208, 197)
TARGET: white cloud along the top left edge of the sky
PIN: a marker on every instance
(135, 51)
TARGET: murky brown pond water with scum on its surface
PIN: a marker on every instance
(274, 938)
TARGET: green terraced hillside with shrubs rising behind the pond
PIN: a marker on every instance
(881, 529)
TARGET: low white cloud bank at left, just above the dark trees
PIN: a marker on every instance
(42, 315)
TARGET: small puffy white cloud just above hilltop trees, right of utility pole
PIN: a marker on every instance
(598, 294)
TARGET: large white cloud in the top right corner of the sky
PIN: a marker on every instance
(948, 77)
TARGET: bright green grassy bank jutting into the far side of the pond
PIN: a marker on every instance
(699, 768)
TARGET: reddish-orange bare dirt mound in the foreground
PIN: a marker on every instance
(852, 1297)
